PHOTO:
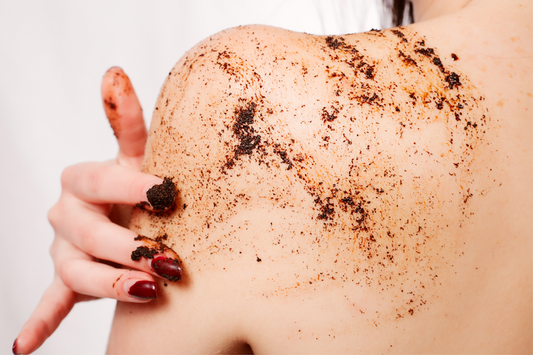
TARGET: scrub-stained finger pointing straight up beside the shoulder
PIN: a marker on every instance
(124, 113)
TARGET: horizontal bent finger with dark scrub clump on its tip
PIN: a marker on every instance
(107, 183)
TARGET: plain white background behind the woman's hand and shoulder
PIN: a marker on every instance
(53, 55)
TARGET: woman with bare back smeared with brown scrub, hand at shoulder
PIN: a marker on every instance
(364, 193)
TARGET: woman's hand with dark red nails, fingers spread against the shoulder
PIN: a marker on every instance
(85, 232)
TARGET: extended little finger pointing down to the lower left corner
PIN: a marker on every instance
(54, 306)
